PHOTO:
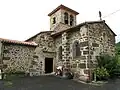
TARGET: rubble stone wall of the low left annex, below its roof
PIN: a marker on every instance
(16, 57)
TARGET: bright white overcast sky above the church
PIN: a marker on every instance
(21, 19)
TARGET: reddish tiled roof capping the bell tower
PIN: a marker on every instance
(63, 7)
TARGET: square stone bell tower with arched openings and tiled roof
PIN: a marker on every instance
(62, 18)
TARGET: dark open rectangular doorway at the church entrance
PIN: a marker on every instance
(48, 65)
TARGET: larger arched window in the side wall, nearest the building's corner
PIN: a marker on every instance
(76, 49)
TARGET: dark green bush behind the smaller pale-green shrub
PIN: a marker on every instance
(110, 63)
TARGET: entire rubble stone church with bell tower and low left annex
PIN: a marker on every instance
(73, 46)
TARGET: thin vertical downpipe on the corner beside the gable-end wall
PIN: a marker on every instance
(89, 66)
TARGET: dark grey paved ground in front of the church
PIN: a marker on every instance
(54, 83)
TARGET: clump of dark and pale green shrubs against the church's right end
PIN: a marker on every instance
(107, 66)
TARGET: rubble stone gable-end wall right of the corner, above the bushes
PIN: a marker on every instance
(101, 40)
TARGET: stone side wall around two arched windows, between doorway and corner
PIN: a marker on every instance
(78, 64)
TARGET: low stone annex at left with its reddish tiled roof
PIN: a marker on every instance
(16, 56)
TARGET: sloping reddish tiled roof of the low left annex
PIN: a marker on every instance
(18, 42)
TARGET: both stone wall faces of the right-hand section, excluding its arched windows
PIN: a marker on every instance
(94, 38)
